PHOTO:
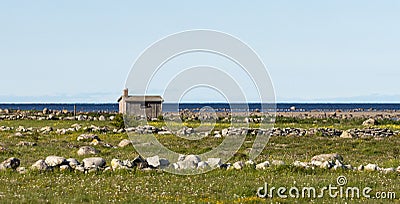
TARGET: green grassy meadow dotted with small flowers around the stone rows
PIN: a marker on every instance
(217, 186)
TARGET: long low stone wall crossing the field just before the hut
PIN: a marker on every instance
(147, 129)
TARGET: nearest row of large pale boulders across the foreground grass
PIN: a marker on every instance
(331, 161)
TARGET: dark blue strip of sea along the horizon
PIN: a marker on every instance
(113, 107)
